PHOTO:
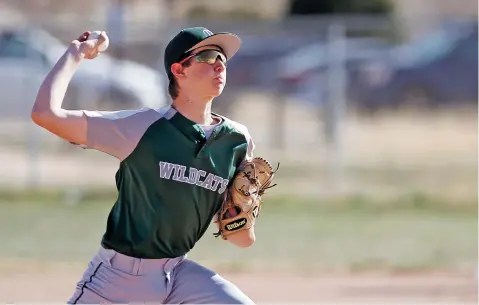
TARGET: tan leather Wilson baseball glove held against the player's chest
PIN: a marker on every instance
(243, 198)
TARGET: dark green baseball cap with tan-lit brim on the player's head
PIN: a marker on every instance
(191, 38)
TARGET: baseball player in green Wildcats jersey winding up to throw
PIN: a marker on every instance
(180, 168)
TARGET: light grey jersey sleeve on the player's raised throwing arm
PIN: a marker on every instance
(117, 132)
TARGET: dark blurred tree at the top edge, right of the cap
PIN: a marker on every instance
(327, 7)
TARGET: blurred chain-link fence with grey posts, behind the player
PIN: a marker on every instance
(313, 92)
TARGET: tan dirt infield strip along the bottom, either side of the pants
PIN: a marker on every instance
(30, 282)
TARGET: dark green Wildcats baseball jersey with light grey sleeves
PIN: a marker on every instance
(172, 176)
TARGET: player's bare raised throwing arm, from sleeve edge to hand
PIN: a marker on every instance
(47, 110)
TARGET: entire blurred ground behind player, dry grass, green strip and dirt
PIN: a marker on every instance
(402, 226)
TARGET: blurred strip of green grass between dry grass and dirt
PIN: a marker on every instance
(293, 234)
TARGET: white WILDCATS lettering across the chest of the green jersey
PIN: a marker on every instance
(192, 176)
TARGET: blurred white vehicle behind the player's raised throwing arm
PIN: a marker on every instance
(105, 83)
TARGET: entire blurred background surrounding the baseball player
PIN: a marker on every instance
(370, 106)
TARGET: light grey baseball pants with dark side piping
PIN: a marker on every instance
(112, 277)
